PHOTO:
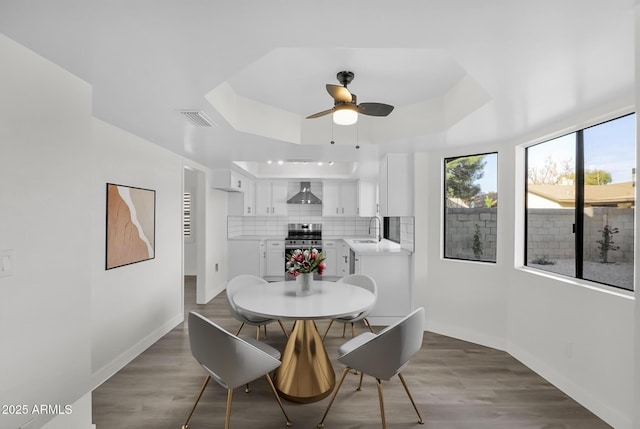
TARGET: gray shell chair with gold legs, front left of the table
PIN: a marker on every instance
(229, 360)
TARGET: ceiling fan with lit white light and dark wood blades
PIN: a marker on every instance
(345, 109)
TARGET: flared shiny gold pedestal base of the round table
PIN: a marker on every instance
(306, 374)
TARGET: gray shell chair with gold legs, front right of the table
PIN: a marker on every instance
(382, 356)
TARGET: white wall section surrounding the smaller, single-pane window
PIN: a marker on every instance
(462, 299)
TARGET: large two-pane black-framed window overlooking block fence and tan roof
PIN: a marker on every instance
(581, 201)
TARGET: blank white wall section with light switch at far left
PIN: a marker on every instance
(45, 218)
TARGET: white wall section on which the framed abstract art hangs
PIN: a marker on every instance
(135, 305)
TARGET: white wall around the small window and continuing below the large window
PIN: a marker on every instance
(578, 337)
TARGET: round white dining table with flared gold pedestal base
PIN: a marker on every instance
(306, 374)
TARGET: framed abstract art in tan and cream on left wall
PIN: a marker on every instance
(131, 225)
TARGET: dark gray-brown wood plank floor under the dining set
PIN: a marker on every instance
(455, 384)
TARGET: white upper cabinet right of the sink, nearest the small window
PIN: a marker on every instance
(396, 185)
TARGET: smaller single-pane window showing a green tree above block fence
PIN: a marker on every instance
(471, 207)
